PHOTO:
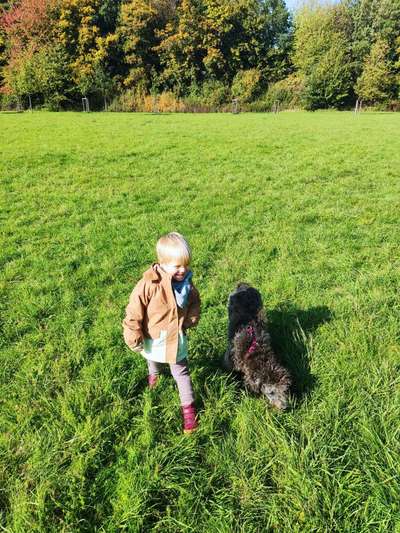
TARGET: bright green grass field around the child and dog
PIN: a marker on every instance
(303, 206)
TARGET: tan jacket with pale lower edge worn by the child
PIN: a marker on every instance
(153, 318)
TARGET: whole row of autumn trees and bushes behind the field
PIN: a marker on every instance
(199, 54)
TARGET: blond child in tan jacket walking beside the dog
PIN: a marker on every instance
(162, 306)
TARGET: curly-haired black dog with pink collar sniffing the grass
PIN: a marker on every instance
(249, 347)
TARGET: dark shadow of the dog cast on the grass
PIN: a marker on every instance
(290, 329)
